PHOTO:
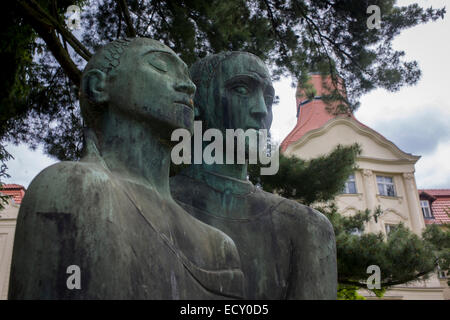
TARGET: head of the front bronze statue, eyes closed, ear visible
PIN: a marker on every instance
(142, 80)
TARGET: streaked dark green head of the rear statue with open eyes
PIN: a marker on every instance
(234, 91)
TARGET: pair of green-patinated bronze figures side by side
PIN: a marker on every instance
(113, 215)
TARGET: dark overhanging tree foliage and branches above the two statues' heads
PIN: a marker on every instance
(39, 104)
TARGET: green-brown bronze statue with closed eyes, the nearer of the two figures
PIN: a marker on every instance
(112, 213)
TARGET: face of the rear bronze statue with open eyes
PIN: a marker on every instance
(245, 93)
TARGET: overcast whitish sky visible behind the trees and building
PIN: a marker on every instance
(416, 119)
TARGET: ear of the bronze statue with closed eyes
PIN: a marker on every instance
(94, 85)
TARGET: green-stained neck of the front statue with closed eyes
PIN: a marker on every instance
(135, 152)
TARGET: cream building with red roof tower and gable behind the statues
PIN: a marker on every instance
(384, 178)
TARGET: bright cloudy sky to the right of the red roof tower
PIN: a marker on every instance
(421, 109)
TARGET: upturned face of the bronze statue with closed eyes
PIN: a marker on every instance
(152, 84)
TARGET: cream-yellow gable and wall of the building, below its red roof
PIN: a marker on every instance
(379, 157)
